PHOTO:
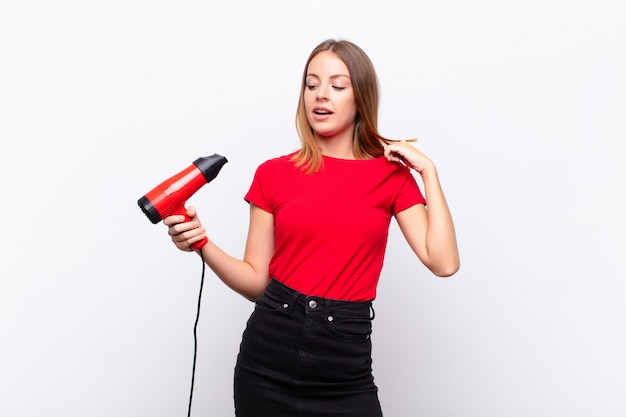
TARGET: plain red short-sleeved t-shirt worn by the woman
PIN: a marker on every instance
(331, 226)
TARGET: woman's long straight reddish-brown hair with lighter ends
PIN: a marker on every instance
(366, 142)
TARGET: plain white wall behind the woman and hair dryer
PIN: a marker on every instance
(521, 105)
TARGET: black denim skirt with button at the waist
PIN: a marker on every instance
(304, 356)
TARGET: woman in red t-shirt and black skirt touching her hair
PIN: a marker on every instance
(319, 221)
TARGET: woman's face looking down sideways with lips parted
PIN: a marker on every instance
(329, 97)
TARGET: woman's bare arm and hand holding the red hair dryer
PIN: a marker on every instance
(247, 276)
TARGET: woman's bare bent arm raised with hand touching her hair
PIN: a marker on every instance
(428, 230)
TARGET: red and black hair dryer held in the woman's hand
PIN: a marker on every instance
(169, 197)
